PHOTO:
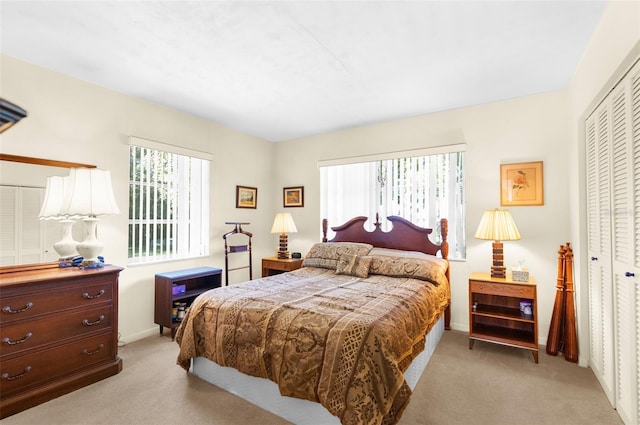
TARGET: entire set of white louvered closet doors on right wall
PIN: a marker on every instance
(613, 197)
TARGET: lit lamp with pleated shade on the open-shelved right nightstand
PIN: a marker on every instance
(497, 225)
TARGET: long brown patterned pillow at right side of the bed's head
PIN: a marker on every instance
(415, 268)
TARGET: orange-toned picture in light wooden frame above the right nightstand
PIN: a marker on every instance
(521, 184)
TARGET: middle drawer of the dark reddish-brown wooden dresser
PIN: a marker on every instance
(27, 334)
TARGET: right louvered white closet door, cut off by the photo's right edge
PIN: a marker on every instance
(625, 101)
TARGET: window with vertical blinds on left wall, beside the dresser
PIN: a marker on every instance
(168, 204)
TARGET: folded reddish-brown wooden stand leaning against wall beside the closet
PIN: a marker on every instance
(562, 329)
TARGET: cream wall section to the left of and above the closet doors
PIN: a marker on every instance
(611, 50)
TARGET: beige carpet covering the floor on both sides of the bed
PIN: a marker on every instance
(490, 384)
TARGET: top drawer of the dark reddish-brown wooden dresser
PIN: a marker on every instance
(26, 305)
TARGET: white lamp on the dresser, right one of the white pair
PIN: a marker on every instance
(91, 195)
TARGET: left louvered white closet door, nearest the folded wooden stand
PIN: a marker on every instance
(599, 247)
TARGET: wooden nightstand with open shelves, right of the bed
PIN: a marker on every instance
(495, 315)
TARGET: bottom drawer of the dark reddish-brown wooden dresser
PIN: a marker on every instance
(37, 367)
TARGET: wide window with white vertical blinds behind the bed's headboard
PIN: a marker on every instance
(422, 189)
